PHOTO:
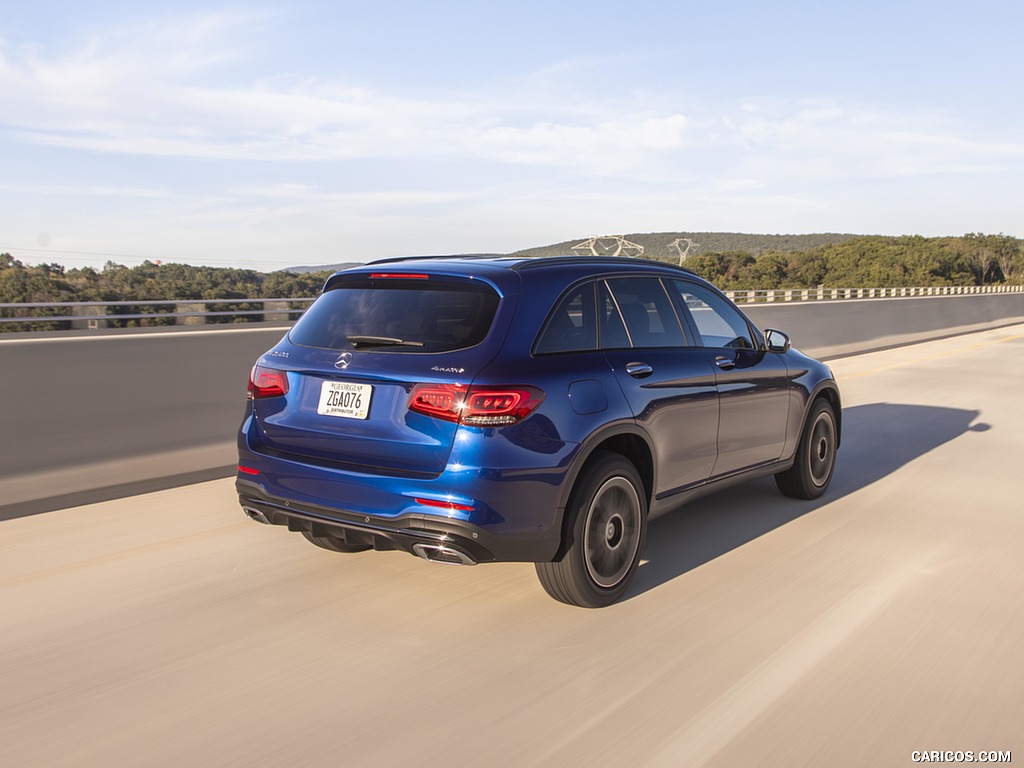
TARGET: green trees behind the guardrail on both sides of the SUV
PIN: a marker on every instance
(732, 262)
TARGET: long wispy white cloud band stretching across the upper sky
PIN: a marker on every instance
(155, 92)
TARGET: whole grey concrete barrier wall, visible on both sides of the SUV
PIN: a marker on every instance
(90, 416)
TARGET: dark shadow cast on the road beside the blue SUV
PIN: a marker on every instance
(878, 440)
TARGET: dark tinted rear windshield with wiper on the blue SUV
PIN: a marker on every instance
(399, 316)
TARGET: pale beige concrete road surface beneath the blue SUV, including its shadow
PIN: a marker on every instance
(884, 621)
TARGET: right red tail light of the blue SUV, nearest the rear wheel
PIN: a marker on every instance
(478, 407)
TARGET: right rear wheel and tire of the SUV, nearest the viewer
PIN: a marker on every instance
(609, 518)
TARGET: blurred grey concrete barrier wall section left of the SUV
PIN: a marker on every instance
(88, 414)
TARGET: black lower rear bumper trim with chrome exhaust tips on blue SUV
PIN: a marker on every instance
(432, 537)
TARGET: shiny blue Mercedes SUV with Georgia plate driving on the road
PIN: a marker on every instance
(537, 410)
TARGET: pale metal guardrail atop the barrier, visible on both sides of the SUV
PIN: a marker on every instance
(96, 315)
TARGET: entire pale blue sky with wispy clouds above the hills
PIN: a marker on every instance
(271, 135)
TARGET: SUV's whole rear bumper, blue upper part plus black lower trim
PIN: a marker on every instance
(507, 508)
